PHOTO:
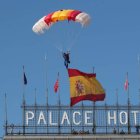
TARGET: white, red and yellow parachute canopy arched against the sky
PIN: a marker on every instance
(47, 21)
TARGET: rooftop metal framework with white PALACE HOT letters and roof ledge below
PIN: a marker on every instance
(79, 122)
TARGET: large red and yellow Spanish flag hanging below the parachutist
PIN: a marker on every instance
(84, 86)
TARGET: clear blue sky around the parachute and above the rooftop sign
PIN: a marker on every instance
(110, 44)
